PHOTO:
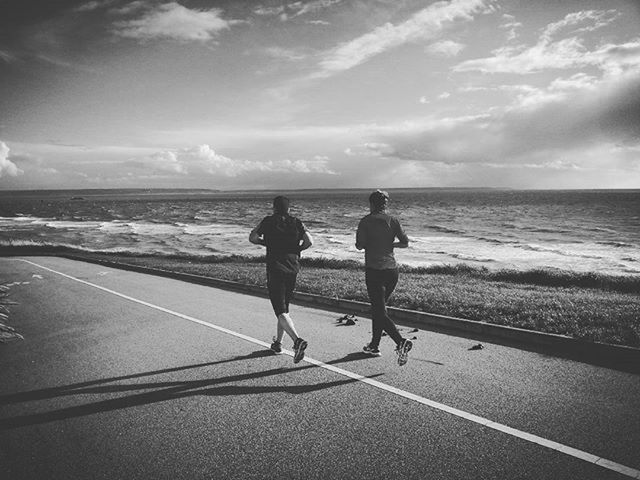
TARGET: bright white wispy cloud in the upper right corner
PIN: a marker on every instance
(570, 52)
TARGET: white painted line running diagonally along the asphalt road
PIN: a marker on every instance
(573, 452)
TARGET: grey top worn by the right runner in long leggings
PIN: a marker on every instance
(376, 234)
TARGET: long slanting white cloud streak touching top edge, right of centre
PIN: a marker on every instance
(425, 24)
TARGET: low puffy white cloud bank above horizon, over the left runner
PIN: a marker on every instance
(203, 160)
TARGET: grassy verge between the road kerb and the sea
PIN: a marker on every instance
(586, 306)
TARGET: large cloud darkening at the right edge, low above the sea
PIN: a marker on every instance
(565, 117)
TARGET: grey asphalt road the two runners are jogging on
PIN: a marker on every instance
(104, 386)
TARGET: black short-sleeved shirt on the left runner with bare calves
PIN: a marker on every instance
(282, 235)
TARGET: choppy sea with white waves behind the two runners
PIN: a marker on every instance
(569, 230)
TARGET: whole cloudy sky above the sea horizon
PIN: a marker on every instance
(236, 94)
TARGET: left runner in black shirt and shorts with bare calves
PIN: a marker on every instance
(285, 237)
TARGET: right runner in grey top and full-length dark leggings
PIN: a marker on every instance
(376, 234)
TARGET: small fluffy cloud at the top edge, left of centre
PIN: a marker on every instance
(173, 21)
